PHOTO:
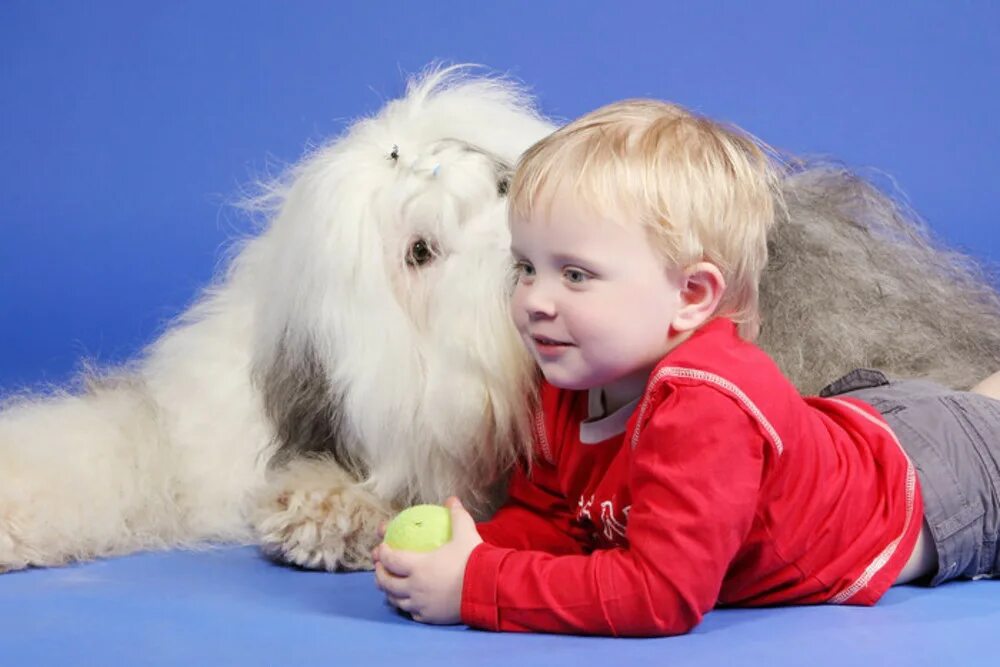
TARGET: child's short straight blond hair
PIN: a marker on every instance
(706, 191)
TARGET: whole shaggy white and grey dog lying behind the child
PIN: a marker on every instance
(357, 354)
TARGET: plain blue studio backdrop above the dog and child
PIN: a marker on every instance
(127, 128)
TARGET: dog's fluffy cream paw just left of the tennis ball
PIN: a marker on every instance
(313, 515)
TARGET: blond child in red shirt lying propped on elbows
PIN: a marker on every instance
(675, 468)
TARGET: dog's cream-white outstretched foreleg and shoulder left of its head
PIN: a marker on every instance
(165, 455)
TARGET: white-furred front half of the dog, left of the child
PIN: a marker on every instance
(414, 368)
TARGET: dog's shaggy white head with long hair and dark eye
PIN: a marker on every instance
(382, 332)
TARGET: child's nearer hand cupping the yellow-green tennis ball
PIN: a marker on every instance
(428, 586)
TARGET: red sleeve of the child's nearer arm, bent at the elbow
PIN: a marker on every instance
(694, 486)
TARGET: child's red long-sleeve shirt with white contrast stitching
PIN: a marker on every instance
(723, 487)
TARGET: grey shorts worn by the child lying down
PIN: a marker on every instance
(953, 439)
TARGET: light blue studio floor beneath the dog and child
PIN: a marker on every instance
(231, 607)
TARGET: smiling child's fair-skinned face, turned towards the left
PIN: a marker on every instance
(593, 300)
